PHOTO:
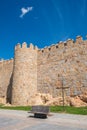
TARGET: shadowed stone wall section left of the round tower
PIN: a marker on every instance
(6, 69)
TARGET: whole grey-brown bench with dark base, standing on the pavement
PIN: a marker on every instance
(40, 111)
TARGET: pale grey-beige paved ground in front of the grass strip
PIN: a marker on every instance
(22, 120)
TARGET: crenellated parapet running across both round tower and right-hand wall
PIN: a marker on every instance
(60, 45)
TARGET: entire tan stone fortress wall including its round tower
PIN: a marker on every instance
(47, 70)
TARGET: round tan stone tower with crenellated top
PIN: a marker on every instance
(24, 74)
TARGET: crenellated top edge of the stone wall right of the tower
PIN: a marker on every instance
(62, 45)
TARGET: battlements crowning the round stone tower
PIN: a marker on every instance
(25, 46)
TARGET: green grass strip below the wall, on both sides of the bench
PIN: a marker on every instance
(56, 109)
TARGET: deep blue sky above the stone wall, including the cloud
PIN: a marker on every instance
(41, 22)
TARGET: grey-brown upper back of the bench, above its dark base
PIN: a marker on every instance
(42, 109)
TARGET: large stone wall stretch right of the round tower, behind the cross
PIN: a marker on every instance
(63, 65)
